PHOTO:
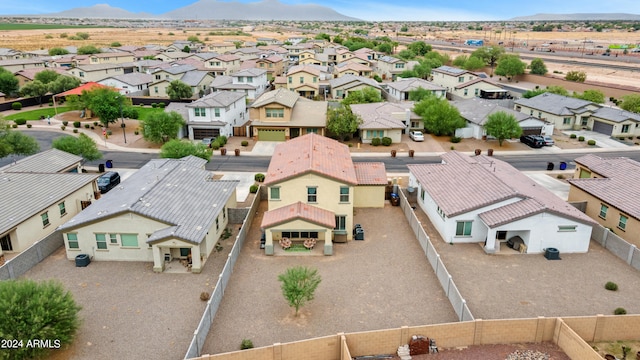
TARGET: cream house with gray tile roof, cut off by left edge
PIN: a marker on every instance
(39, 193)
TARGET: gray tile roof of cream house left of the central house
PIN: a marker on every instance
(177, 192)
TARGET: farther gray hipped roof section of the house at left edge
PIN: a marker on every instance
(49, 161)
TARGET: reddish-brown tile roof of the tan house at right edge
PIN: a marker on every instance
(620, 186)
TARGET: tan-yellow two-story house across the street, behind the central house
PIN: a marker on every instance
(282, 114)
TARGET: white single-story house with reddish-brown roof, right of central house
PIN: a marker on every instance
(485, 200)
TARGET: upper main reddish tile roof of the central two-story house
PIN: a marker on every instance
(311, 153)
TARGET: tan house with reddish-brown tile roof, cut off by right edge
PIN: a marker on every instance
(609, 189)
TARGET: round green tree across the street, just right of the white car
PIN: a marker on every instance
(439, 117)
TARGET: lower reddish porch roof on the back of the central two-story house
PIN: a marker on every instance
(299, 211)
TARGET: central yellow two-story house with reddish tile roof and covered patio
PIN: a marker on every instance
(313, 187)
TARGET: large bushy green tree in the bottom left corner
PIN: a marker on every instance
(32, 310)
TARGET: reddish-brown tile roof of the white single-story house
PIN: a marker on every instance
(455, 184)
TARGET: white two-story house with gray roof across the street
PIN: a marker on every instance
(216, 114)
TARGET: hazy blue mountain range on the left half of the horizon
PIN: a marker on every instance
(214, 10)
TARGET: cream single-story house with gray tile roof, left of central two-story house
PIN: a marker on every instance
(169, 209)
